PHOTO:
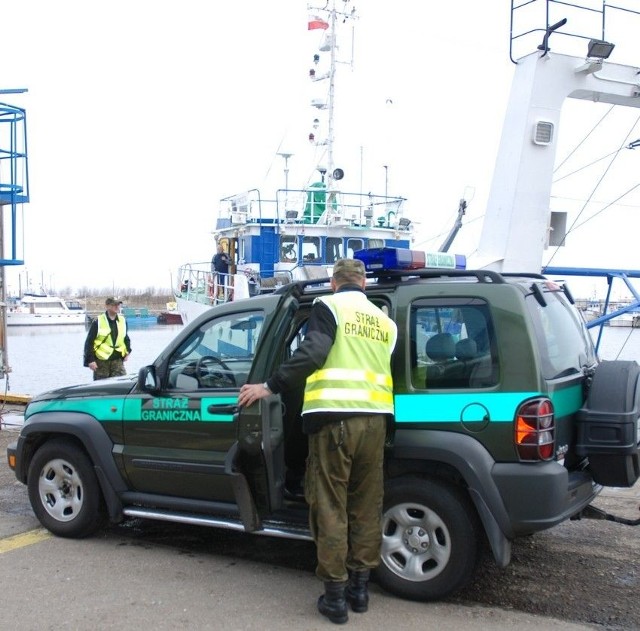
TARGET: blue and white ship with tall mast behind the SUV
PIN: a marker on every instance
(296, 233)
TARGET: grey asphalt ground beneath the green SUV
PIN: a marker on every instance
(152, 575)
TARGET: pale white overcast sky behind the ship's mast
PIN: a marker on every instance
(143, 114)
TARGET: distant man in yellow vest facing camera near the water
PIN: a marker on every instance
(107, 345)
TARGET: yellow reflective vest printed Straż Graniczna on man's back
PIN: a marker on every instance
(356, 376)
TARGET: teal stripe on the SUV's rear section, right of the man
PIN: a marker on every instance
(502, 406)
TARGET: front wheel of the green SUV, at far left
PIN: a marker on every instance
(64, 491)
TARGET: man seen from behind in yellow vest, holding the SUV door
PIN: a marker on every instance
(344, 363)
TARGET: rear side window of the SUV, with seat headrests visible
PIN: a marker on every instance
(452, 344)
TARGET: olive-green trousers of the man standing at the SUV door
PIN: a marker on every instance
(344, 490)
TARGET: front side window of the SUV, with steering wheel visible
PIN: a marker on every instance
(218, 354)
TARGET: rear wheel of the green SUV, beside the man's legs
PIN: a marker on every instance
(429, 539)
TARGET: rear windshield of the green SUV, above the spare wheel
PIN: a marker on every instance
(563, 340)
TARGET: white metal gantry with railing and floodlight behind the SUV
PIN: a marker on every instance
(519, 224)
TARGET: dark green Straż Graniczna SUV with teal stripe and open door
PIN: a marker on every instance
(505, 424)
